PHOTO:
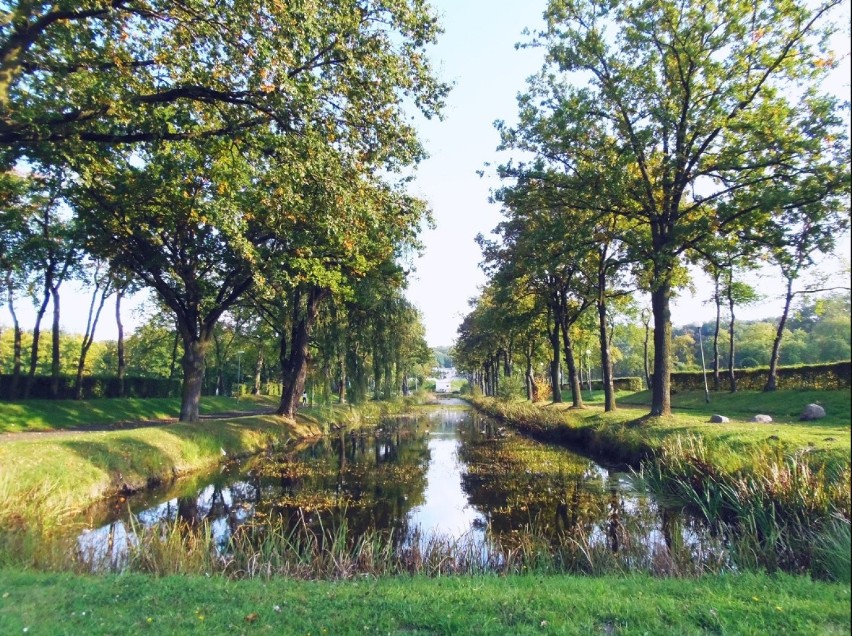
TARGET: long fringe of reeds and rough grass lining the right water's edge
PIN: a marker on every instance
(779, 508)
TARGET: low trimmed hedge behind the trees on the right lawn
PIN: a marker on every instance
(832, 376)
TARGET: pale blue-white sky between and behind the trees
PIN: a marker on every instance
(477, 54)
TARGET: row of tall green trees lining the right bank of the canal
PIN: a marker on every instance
(658, 135)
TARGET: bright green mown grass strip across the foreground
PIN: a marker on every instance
(37, 603)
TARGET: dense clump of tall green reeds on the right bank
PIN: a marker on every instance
(783, 513)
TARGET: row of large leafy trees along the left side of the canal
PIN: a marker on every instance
(239, 159)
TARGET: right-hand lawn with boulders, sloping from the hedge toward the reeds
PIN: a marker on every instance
(628, 435)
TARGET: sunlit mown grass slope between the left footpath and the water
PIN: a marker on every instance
(46, 479)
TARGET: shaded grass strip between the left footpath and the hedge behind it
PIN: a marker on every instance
(51, 415)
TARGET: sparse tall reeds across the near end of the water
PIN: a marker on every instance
(334, 552)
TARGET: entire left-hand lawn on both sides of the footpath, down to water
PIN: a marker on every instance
(47, 477)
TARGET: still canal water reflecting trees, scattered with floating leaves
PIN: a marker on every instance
(449, 473)
